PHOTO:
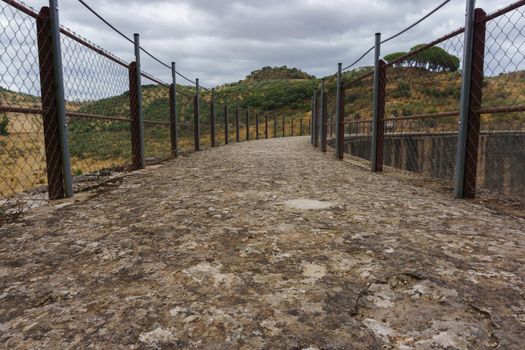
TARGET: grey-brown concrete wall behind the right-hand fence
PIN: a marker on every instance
(501, 157)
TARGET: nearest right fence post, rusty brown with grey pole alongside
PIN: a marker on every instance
(471, 98)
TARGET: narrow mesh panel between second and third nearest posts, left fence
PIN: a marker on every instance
(156, 109)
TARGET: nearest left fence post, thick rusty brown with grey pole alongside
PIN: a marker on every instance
(53, 123)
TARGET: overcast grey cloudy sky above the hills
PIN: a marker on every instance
(223, 40)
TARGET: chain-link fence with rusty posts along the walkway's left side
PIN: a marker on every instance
(72, 114)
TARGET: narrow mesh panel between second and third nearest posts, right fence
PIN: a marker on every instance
(358, 116)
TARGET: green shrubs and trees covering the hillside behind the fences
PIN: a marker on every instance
(413, 87)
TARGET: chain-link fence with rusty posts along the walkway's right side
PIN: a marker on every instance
(420, 113)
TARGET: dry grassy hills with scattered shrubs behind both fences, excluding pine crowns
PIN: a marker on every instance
(409, 91)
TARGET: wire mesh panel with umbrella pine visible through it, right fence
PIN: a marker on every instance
(423, 94)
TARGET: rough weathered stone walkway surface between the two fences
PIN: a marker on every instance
(263, 245)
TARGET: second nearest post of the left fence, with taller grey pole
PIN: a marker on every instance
(137, 117)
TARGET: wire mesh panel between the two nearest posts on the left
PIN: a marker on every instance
(96, 89)
